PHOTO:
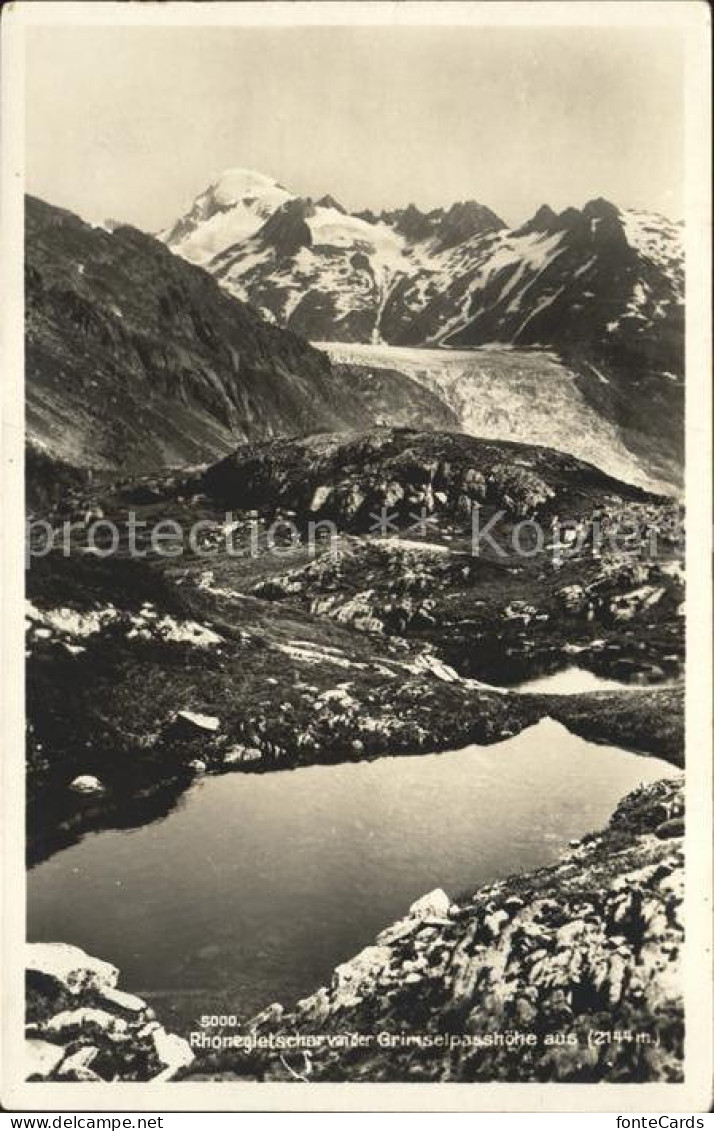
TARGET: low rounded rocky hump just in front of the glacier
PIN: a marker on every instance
(349, 477)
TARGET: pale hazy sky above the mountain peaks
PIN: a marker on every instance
(134, 124)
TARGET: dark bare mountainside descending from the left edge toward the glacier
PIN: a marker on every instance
(137, 360)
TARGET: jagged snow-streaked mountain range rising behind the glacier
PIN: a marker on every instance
(601, 287)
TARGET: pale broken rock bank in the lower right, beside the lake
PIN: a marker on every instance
(571, 973)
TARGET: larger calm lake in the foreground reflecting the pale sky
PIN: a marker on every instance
(256, 886)
